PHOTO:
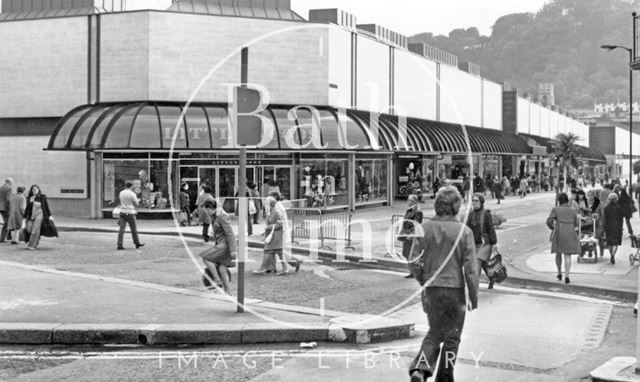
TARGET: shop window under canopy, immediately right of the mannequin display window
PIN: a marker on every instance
(371, 180)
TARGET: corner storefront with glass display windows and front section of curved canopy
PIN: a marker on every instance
(332, 163)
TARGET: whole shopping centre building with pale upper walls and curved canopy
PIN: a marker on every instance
(96, 94)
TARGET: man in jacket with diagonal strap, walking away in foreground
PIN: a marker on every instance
(443, 299)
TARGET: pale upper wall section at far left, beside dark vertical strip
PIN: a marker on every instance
(43, 67)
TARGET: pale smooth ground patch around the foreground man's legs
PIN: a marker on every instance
(521, 330)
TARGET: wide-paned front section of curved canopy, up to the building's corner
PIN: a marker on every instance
(205, 126)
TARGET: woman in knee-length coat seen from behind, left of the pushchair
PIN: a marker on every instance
(563, 221)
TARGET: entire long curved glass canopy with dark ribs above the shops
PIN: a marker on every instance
(149, 125)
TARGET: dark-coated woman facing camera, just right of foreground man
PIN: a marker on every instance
(484, 234)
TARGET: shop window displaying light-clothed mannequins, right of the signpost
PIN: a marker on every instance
(324, 183)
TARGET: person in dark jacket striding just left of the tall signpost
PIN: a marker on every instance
(219, 258)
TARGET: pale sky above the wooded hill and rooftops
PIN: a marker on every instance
(410, 17)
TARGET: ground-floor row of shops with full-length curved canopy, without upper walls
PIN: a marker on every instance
(316, 155)
